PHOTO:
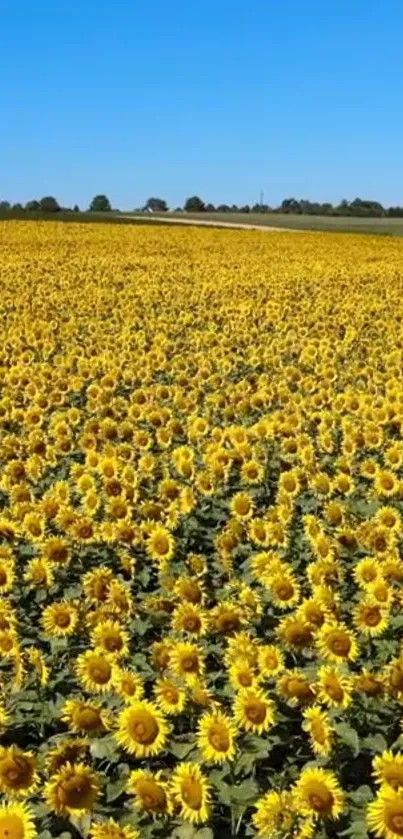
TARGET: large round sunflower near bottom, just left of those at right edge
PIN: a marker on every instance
(317, 793)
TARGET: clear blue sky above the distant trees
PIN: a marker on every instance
(221, 98)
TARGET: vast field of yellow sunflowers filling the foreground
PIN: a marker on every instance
(201, 519)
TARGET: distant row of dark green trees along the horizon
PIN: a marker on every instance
(290, 206)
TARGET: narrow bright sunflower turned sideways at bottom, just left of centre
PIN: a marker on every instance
(191, 792)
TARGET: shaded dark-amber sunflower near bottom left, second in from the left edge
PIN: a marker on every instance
(73, 790)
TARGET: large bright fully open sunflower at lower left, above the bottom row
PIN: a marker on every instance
(142, 729)
